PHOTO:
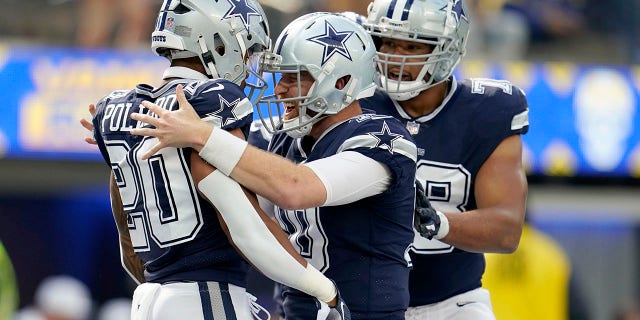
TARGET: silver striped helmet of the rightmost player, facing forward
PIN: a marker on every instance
(442, 24)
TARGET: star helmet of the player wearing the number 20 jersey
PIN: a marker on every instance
(227, 35)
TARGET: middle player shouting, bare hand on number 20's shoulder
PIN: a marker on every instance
(341, 181)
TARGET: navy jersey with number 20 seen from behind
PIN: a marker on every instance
(174, 231)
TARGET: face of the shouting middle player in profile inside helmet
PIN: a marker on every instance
(288, 88)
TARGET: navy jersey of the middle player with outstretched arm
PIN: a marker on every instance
(361, 245)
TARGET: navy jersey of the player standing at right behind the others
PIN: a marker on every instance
(453, 143)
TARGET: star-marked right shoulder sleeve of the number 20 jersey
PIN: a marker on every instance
(221, 103)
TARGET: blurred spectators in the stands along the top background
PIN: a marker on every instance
(588, 31)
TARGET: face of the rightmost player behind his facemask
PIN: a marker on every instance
(401, 51)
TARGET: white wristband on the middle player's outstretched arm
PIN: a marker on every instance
(223, 150)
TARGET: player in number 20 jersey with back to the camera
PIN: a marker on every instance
(173, 241)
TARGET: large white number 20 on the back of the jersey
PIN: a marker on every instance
(171, 212)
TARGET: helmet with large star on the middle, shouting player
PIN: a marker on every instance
(329, 47)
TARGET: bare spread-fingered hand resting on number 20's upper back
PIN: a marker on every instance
(179, 128)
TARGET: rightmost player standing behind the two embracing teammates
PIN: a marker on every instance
(468, 134)
